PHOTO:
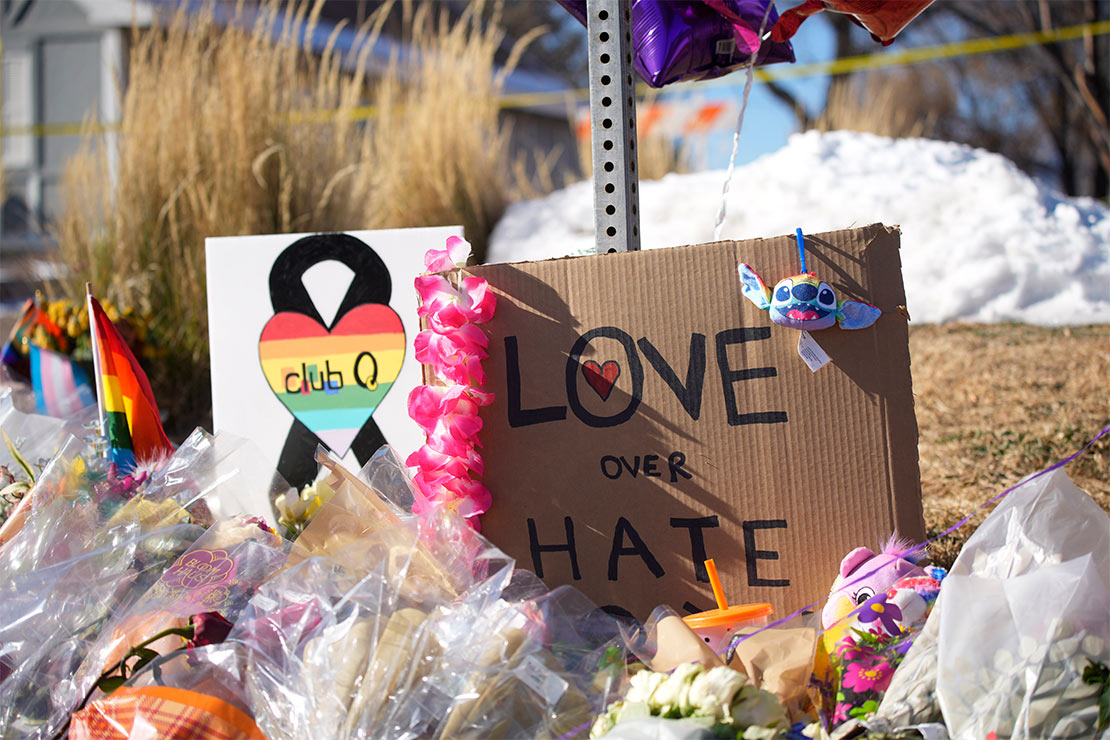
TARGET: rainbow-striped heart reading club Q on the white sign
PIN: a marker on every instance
(334, 381)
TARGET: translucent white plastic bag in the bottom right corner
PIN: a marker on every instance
(1025, 609)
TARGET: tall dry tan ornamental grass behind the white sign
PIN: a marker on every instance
(238, 128)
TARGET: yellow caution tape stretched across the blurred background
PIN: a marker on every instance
(844, 66)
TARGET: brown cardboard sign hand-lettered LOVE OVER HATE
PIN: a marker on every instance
(648, 417)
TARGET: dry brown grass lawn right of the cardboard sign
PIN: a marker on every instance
(996, 403)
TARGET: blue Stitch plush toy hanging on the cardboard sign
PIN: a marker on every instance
(803, 302)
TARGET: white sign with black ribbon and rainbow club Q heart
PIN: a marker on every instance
(311, 342)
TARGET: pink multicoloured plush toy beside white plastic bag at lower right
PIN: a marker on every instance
(897, 594)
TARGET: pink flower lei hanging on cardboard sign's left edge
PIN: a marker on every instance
(453, 347)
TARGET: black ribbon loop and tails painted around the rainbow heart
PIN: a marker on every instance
(371, 285)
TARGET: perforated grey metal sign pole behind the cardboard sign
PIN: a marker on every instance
(613, 126)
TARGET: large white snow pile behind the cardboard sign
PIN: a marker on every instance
(982, 241)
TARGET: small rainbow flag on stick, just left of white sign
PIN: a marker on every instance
(130, 415)
